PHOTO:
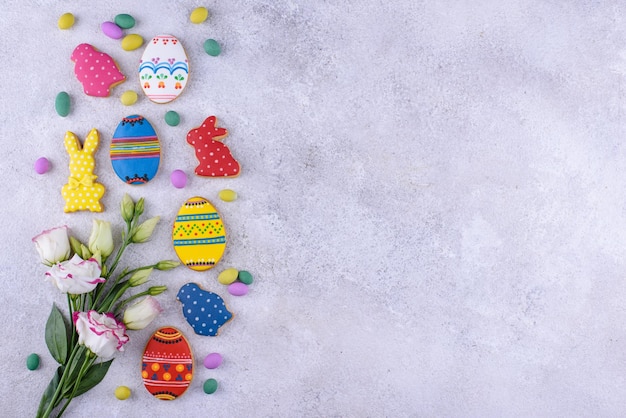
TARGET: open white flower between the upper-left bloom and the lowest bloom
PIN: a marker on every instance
(75, 276)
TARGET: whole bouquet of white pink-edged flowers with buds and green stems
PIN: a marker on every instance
(99, 312)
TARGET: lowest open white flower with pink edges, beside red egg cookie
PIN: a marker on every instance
(100, 333)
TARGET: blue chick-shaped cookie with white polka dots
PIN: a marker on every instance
(205, 311)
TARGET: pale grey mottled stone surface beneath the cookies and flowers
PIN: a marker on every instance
(431, 202)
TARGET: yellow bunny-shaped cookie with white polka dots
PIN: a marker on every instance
(81, 191)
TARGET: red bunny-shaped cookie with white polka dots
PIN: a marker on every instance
(215, 159)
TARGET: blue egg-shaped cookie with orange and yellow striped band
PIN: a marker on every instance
(135, 150)
